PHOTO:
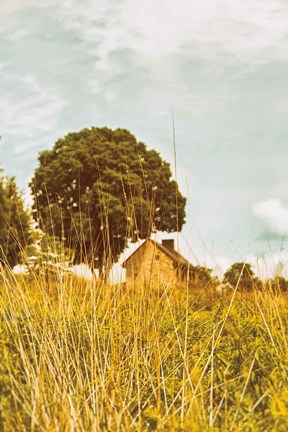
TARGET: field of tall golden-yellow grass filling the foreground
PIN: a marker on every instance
(81, 356)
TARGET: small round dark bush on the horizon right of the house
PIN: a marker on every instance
(242, 275)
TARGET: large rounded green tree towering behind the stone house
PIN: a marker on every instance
(98, 188)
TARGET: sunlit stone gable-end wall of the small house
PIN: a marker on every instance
(150, 267)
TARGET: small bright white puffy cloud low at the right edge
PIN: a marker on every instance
(274, 213)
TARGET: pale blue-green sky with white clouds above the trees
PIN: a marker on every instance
(221, 68)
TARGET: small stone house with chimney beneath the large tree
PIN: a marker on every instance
(157, 265)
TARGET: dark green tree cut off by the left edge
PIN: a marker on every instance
(15, 232)
